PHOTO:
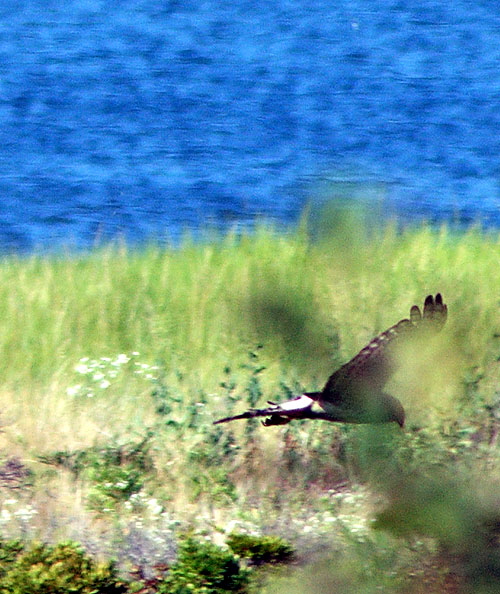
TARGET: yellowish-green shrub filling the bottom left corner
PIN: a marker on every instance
(60, 569)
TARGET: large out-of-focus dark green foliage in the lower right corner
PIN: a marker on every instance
(455, 504)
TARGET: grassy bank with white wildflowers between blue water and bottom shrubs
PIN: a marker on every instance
(114, 365)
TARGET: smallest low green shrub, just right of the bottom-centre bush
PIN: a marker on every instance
(260, 549)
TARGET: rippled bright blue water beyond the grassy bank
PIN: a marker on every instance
(143, 118)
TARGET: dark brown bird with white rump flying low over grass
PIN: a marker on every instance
(354, 393)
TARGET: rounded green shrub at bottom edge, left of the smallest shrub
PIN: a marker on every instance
(204, 568)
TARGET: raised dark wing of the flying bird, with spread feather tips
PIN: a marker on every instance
(371, 368)
